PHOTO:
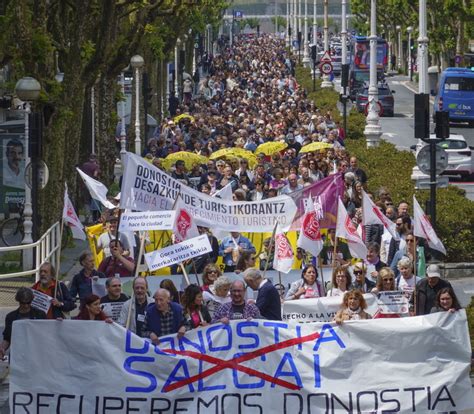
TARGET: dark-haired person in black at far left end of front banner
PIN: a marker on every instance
(24, 296)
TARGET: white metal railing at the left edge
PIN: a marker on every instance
(46, 249)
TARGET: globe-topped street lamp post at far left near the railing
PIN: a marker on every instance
(27, 89)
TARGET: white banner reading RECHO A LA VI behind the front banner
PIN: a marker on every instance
(320, 309)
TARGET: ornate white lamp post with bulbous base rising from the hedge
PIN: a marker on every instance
(373, 131)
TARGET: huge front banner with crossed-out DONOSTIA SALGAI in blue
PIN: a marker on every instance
(245, 367)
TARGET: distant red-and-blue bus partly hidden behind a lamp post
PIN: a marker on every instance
(359, 71)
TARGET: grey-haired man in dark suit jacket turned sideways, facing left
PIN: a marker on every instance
(268, 299)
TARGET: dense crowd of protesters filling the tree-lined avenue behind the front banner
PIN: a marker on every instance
(246, 96)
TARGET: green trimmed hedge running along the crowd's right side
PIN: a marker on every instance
(390, 168)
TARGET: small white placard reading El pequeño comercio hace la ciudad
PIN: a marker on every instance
(147, 220)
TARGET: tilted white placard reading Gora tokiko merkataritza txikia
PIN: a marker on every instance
(178, 252)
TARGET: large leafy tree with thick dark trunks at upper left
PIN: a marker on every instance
(95, 40)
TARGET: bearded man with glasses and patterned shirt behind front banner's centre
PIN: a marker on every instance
(237, 308)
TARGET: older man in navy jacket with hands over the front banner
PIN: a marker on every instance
(163, 317)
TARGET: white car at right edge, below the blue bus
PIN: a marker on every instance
(460, 156)
